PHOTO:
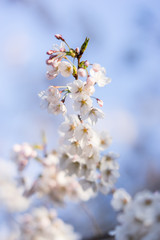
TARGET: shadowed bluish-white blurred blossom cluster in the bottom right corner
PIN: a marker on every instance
(140, 219)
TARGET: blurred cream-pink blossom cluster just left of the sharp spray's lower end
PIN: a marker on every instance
(57, 186)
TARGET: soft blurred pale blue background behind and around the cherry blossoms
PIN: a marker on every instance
(125, 39)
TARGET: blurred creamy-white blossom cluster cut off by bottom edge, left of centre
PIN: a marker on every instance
(43, 224)
